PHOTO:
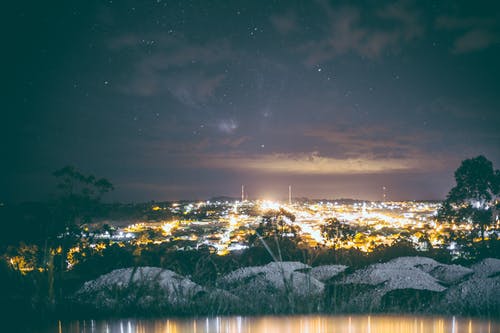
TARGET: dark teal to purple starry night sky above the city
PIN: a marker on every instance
(190, 99)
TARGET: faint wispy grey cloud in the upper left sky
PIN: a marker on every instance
(172, 64)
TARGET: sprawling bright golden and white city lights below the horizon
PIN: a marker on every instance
(227, 226)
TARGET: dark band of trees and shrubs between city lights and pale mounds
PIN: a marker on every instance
(38, 239)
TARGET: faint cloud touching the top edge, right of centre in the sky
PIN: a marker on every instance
(350, 32)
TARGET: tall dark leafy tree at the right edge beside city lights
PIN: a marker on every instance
(474, 197)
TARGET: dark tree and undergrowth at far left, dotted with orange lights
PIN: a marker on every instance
(43, 235)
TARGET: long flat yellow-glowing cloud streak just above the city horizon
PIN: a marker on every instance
(314, 164)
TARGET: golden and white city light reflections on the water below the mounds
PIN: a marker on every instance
(294, 324)
